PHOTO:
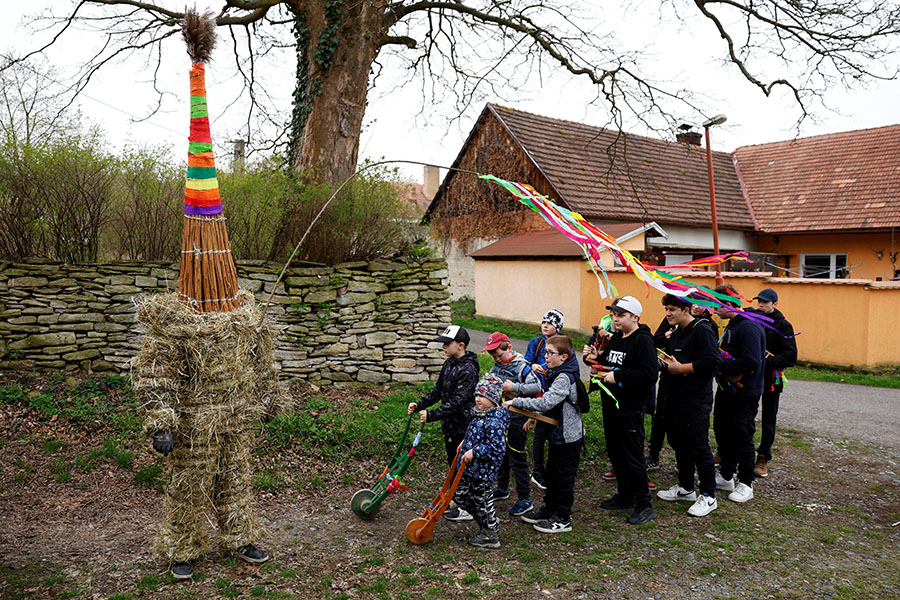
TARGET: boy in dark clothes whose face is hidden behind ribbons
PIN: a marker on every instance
(737, 400)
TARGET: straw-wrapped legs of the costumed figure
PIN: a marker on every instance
(213, 475)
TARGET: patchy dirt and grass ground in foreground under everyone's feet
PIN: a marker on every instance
(821, 526)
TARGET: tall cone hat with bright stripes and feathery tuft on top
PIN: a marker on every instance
(208, 279)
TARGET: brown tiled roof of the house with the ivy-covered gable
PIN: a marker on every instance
(607, 174)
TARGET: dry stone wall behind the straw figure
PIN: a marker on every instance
(364, 321)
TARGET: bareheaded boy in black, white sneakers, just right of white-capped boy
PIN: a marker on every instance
(688, 379)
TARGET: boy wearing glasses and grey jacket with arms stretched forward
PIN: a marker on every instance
(559, 402)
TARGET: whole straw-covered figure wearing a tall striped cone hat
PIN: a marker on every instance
(205, 369)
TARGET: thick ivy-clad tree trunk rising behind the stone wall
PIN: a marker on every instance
(337, 68)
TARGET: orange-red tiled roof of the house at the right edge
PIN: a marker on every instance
(841, 181)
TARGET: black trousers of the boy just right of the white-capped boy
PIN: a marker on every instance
(688, 430)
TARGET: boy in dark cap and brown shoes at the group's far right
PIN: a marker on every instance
(782, 353)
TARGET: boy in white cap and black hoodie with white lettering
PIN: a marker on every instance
(631, 358)
